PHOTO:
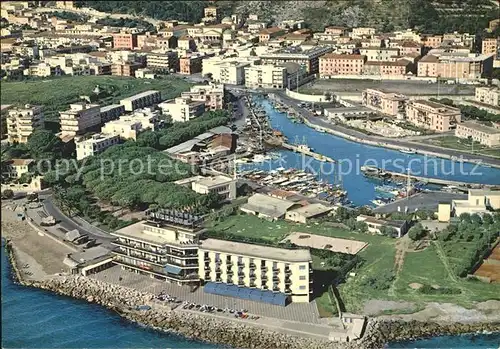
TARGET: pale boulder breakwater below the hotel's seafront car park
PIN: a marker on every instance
(187, 324)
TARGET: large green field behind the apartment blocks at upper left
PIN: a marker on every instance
(57, 93)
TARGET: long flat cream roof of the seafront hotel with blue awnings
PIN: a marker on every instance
(264, 252)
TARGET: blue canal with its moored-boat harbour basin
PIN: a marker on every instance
(351, 156)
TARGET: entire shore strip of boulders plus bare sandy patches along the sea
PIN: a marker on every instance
(37, 262)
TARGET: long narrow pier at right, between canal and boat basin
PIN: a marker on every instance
(381, 173)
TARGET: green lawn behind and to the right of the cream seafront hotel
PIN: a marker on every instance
(426, 267)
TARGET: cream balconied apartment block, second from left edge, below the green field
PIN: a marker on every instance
(80, 118)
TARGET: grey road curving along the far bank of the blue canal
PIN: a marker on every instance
(384, 141)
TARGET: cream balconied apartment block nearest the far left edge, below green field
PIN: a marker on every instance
(22, 121)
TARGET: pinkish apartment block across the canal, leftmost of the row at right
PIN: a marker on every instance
(387, 103)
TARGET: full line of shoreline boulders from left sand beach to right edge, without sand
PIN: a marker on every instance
(216, 330)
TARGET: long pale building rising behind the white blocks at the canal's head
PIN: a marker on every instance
(308, 58)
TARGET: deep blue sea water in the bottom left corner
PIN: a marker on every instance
(34, 318)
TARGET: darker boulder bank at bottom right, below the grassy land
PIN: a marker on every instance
(380, 332)
